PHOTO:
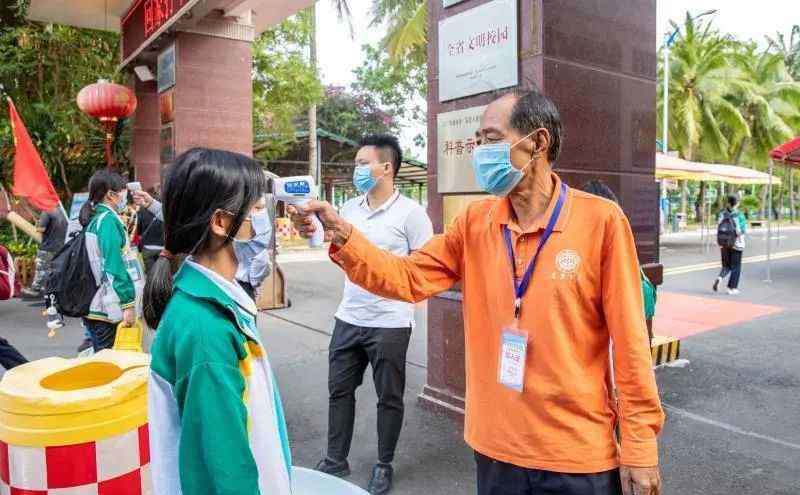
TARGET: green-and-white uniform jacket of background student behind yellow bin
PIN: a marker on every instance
(115, 266)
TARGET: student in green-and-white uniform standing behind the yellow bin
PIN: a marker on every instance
(108, 247)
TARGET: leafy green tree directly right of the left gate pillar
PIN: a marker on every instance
(284, 84)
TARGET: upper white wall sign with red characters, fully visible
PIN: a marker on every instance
(478, 50)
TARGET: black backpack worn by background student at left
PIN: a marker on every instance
(70, 283)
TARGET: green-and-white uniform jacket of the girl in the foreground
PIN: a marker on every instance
(216, 419)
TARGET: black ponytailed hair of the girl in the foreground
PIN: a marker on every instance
(201, 182)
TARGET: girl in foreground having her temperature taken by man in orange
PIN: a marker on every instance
(215, 415)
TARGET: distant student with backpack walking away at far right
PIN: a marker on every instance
(731, 229)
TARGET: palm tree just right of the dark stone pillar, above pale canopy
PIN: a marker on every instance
(701, 119)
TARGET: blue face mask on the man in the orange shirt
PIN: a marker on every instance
(493, 169)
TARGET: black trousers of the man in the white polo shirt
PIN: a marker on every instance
(352, 349)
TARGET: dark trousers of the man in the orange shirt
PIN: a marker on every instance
(499, 478)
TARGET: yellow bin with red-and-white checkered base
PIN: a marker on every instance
(76, 426)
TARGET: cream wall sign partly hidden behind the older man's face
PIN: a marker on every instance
(456, 140)
